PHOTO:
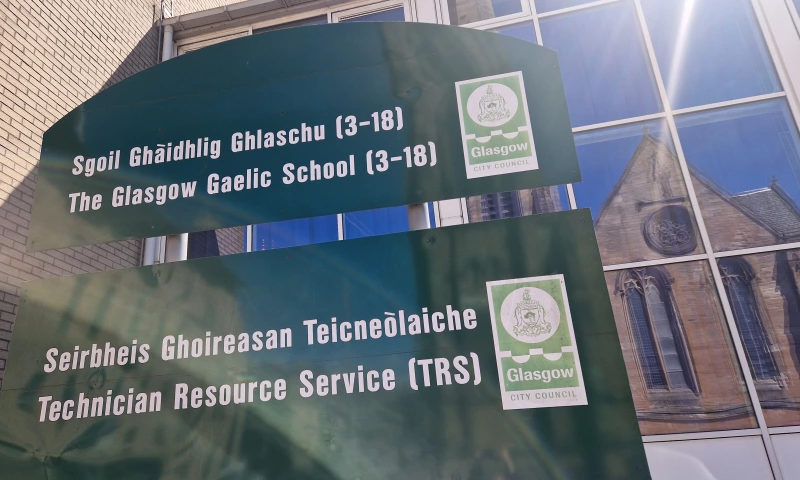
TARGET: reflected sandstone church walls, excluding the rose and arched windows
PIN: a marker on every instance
(721, 400)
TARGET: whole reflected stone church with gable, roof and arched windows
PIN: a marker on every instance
(678, 351)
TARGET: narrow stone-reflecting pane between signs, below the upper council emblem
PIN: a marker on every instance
(514, 204)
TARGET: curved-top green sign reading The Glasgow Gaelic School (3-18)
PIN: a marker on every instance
(304, 122)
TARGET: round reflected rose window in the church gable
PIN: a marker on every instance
(670, 231)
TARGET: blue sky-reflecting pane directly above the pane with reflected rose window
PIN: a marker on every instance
(607, 75)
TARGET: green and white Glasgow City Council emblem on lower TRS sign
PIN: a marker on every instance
(537, 357)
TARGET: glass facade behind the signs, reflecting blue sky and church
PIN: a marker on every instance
(690, 154)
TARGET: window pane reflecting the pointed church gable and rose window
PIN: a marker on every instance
(632, 184)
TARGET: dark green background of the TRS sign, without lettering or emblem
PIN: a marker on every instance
(451, 431)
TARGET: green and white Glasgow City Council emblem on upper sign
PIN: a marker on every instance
(495, 125)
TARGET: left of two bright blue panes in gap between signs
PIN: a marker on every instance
(292, 233)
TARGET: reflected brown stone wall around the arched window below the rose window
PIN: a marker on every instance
(721, 400)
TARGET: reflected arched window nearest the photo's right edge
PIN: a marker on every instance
(737, 275)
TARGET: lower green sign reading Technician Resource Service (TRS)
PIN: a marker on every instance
(482, 351)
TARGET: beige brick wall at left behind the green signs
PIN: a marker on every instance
(54, 55)
